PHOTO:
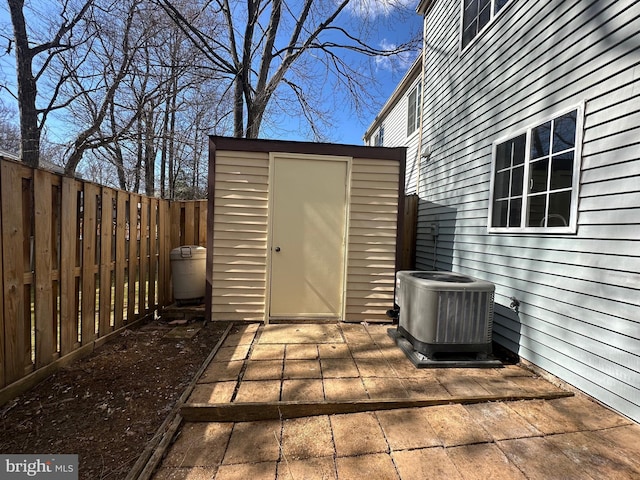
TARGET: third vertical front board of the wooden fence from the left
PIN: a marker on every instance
(68, 252)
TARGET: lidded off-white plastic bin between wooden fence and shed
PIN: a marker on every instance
(188, 272)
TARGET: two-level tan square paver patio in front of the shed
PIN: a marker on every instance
(301, 370)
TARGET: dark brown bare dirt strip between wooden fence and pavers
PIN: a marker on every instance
(107, 406)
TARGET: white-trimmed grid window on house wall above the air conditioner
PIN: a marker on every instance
(535, 177)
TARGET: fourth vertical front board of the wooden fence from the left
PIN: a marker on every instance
(89, 230)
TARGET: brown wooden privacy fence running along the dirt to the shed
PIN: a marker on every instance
(79, 262)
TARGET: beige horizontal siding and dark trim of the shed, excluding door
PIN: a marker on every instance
(239, 209)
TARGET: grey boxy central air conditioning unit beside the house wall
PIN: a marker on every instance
(443, 312)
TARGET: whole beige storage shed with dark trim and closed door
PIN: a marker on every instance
(302, 231)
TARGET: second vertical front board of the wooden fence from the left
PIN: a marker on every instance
(46, 325)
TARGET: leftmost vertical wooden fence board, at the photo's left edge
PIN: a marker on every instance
(13, 272)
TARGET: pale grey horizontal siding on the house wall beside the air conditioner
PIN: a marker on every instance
(579, 315)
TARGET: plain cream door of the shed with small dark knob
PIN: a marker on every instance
(308, 220)
